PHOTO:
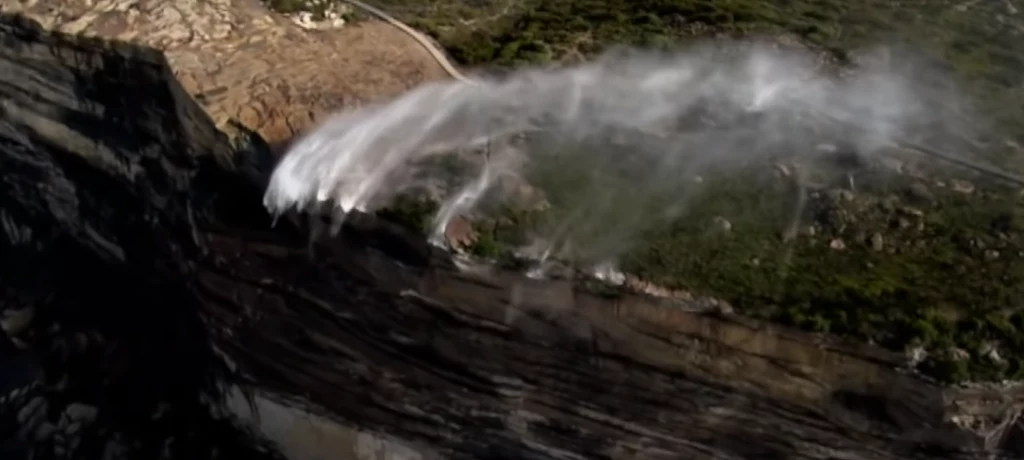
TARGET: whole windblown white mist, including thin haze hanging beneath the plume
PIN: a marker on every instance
(619, 143)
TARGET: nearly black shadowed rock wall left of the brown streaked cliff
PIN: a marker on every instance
(102, 189)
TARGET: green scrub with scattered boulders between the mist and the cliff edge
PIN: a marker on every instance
(904, 263)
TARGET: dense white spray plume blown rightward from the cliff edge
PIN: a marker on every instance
(721, 104)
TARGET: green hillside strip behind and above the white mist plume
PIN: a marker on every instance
(982, 39)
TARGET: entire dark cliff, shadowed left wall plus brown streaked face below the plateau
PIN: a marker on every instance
(143, 274)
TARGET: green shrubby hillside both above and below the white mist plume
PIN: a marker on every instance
(933, 262)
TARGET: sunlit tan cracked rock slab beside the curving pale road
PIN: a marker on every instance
(242, 62)
